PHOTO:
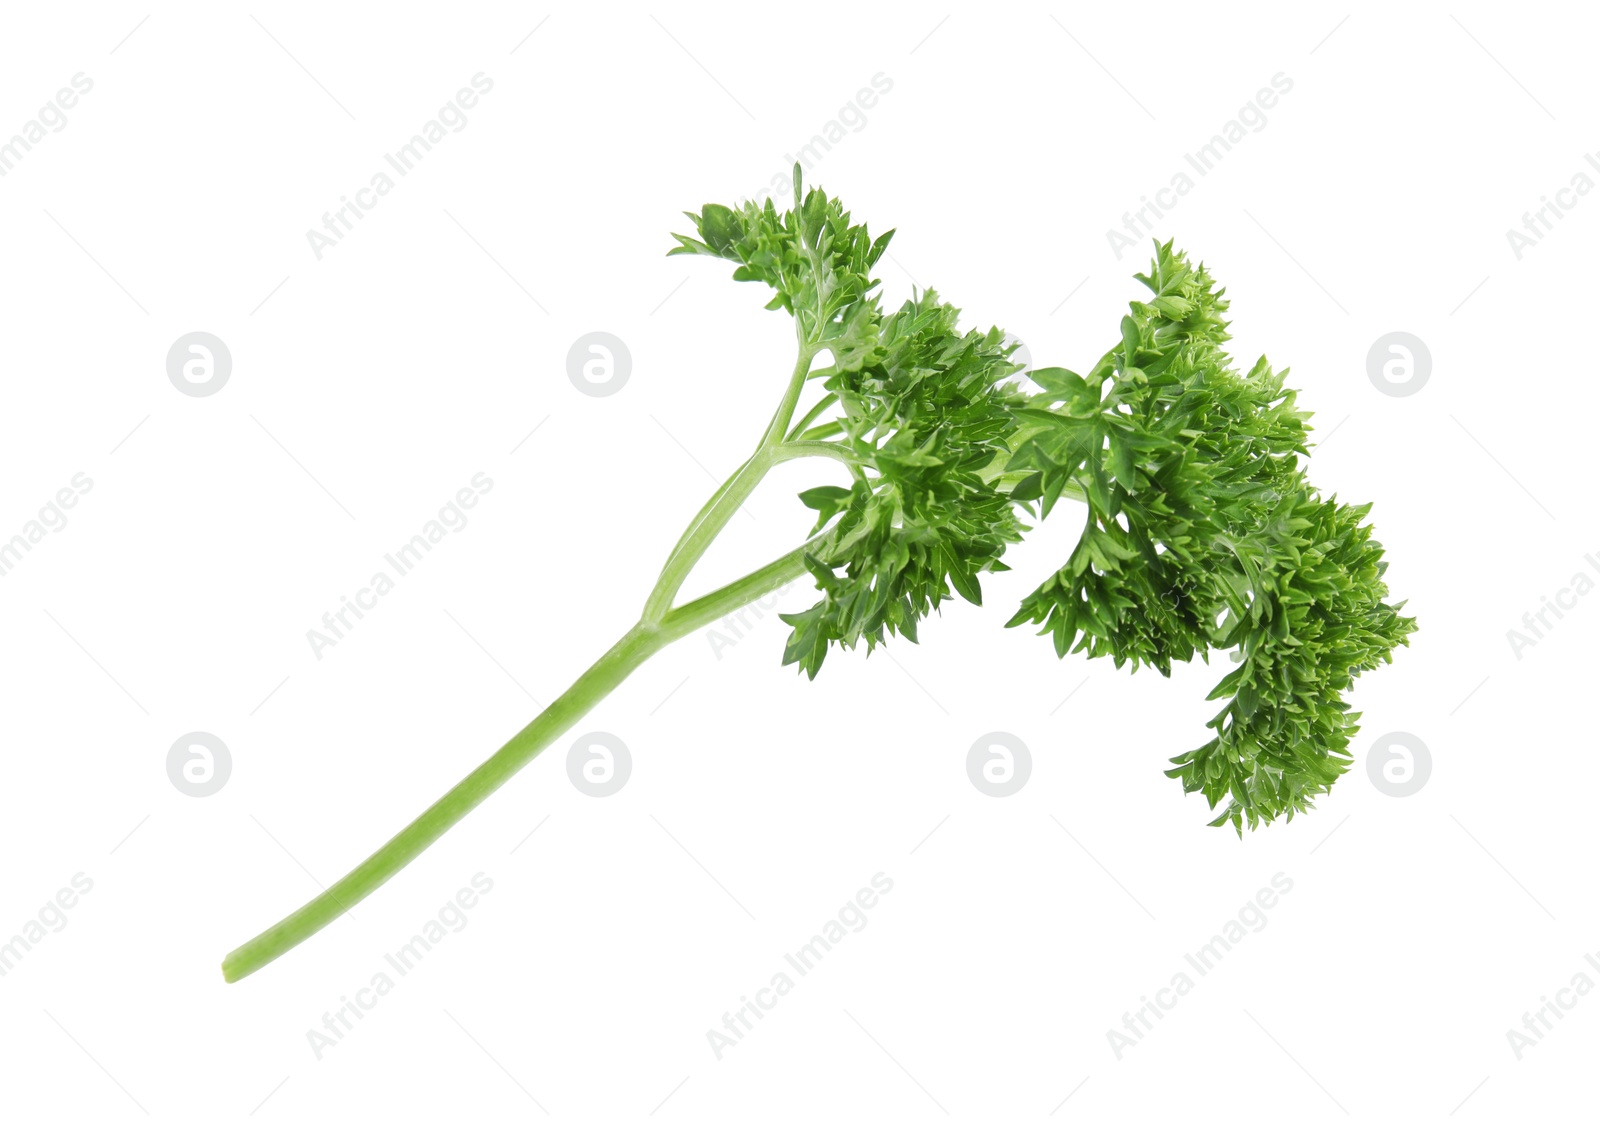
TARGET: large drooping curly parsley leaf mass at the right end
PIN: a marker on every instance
(1204, 532)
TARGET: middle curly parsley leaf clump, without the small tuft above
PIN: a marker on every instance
(924, 414)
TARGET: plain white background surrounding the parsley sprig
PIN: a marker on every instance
(372, 385)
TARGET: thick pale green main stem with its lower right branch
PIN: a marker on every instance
(641, 643)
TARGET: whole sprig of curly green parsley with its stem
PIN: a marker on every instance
(1202, 531)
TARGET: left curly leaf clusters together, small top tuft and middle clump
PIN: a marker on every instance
(918, 407)
